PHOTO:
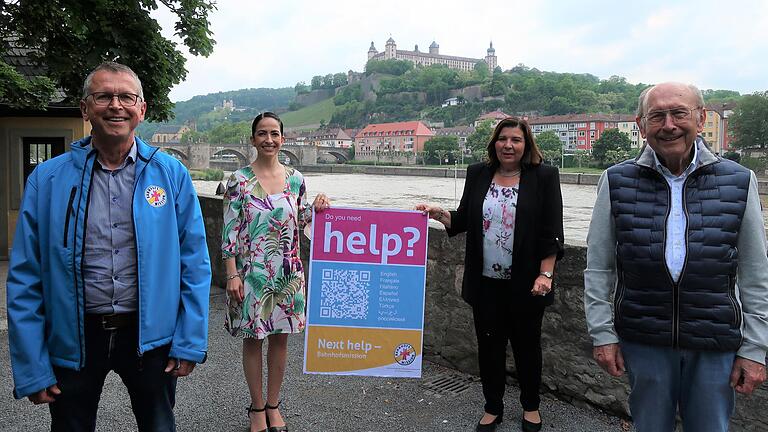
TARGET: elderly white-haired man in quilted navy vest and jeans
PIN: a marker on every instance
(676, 284)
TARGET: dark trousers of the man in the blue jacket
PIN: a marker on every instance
(152, 391)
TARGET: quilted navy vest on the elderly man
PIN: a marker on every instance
(700, 311)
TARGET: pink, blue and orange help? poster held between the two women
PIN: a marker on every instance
(366, 293)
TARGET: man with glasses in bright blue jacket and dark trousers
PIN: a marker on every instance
(109, 269)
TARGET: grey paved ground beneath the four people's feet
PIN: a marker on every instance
(214, 397)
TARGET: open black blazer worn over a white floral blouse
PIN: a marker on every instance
(538, 227)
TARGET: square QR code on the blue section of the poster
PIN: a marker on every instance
(344, 294)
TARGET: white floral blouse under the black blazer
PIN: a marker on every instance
(499, 210)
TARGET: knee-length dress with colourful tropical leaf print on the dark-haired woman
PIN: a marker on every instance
(261, 231)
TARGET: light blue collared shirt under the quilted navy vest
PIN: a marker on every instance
(675, 244)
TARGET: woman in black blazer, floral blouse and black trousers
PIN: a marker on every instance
(512, 212)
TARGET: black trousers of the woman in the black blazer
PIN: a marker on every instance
(503, 316)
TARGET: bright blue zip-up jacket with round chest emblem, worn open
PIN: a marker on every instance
(45, 279)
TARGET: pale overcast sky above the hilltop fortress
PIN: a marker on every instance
(276, 43)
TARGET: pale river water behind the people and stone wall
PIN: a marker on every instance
(403, 192)
